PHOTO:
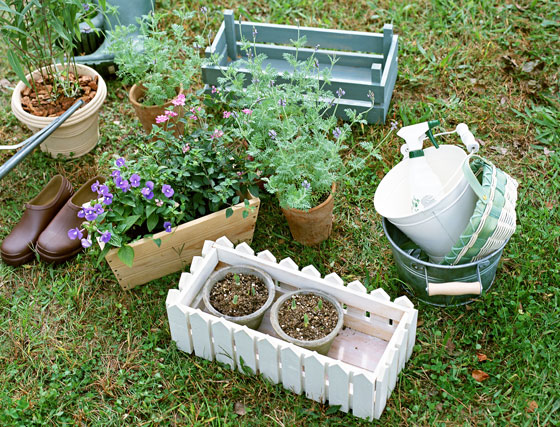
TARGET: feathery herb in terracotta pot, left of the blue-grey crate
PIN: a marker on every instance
(169, 60)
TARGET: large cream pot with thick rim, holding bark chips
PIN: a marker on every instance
(79, 134)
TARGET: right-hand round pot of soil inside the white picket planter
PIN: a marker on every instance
(309, 319)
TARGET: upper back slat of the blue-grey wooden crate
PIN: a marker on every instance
(327, 39)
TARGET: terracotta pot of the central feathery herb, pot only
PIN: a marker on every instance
(313, 226)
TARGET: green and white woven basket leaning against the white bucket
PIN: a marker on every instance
(493, 220)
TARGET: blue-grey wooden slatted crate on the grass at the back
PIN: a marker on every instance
(366, 61)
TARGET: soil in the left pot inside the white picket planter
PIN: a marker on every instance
(223, 293)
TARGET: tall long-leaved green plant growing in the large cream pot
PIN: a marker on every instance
(41, 34)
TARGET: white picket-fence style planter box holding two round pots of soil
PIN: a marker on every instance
(361, 368)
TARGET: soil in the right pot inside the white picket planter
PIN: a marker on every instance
(321, 321)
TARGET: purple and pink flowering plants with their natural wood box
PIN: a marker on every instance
(171, 196)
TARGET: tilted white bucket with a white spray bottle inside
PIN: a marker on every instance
(426, 195)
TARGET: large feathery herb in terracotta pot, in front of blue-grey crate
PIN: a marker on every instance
(287, 121)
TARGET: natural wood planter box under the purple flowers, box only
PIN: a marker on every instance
(178, 248)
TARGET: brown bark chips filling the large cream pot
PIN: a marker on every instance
(43, 105)
